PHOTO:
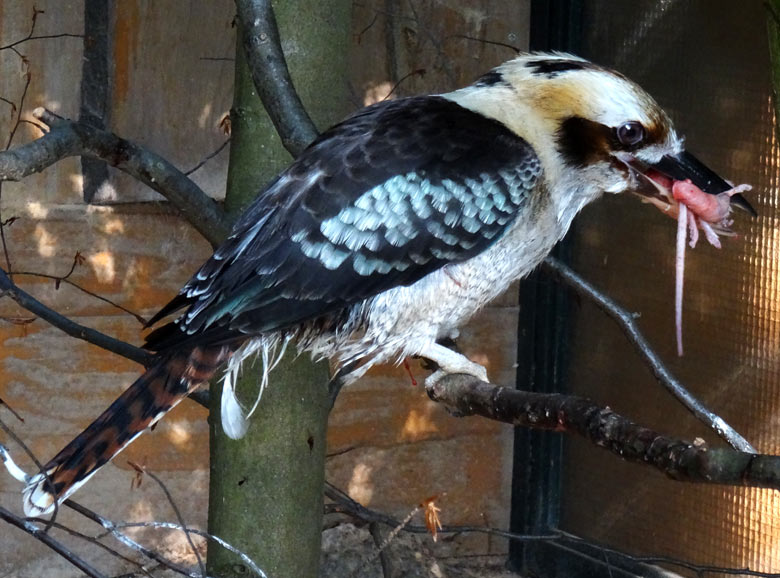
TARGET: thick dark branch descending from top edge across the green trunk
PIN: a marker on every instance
(271, 76)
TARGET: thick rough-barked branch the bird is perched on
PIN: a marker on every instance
(678, 459)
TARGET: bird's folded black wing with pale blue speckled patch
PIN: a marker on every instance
(391, 194)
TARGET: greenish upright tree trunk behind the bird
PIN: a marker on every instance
(266, 489)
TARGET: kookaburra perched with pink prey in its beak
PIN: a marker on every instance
(392, 229)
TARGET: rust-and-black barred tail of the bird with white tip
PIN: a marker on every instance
(151, 396)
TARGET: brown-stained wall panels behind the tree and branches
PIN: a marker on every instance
(171, 82)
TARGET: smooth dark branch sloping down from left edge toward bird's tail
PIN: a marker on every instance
(70, 327)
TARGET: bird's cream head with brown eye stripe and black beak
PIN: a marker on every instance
(593, 129)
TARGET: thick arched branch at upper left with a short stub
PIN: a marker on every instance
(68, 138)
